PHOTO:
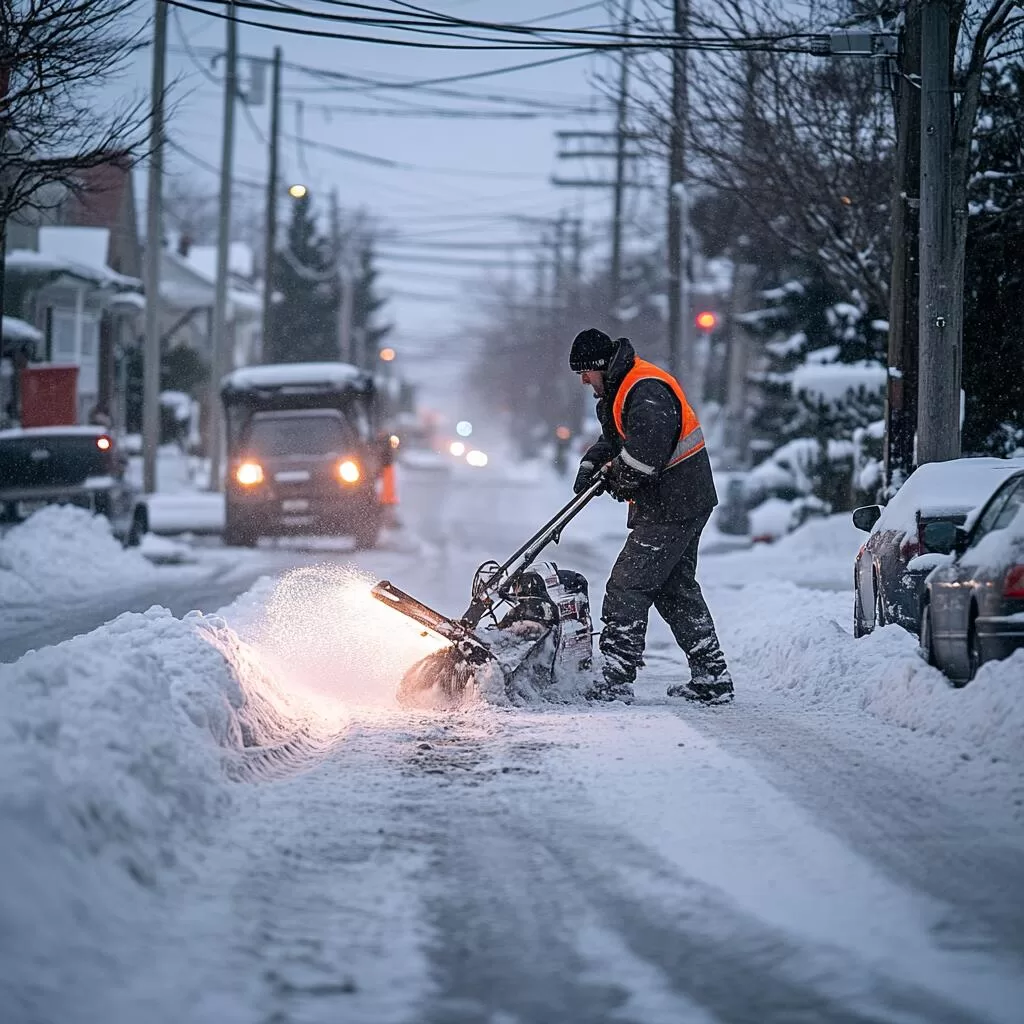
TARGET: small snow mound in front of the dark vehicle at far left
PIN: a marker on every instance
(65, 552)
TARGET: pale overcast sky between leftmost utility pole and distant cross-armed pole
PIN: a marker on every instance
(467, 176)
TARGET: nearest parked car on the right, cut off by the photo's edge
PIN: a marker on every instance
(974, 606)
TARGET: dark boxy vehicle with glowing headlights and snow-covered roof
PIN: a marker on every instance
(304, 454)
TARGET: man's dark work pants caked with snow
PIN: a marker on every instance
(658, 567)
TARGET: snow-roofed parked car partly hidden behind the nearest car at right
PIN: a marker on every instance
(889, 576)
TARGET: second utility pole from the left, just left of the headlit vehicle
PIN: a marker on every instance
(219, 361)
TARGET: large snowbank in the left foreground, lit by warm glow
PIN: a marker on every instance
(117, 755)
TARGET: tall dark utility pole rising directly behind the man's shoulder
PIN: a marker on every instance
(680, 356)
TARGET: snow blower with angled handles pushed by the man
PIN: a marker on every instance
(537, 626)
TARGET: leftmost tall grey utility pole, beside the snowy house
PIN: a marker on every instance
(154, 240)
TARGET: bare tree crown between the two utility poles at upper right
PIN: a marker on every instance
(799, 149)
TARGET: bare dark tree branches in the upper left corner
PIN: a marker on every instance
(54, 55)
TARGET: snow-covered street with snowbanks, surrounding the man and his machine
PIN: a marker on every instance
(228, 820)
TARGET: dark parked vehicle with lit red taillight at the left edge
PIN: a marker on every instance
(74, 465)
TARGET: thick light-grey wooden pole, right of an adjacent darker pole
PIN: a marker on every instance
(940, 365)
